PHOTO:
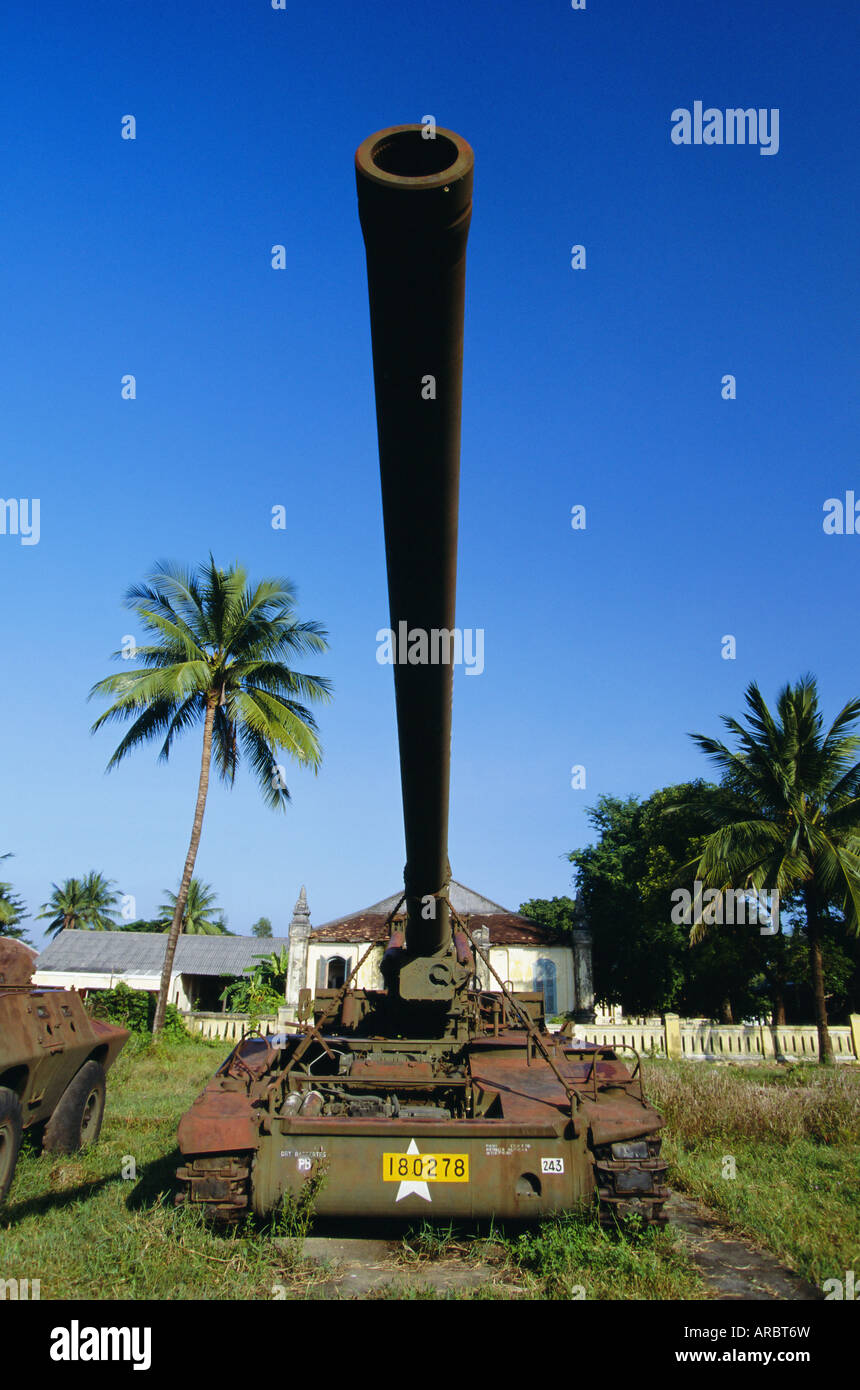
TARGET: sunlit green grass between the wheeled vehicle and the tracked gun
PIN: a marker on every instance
(87, 1232)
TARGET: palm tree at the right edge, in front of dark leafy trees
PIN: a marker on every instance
(795, 825)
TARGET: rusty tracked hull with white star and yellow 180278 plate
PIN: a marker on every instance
(419, 1128)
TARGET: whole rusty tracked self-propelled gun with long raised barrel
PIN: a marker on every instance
(434, 1095)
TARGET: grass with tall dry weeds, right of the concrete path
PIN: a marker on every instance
(790, 1135)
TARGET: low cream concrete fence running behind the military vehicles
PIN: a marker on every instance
(688, 1040)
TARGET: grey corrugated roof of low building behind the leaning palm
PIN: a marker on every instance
(142, 953)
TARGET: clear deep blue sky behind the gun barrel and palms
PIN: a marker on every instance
(598, 387)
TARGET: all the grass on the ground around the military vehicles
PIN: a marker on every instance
(102, 1224)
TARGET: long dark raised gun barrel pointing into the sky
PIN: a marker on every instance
(415, 205)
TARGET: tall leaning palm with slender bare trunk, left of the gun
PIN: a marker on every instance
(219, 658)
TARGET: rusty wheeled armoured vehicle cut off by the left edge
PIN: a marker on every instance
(53, 1063)
